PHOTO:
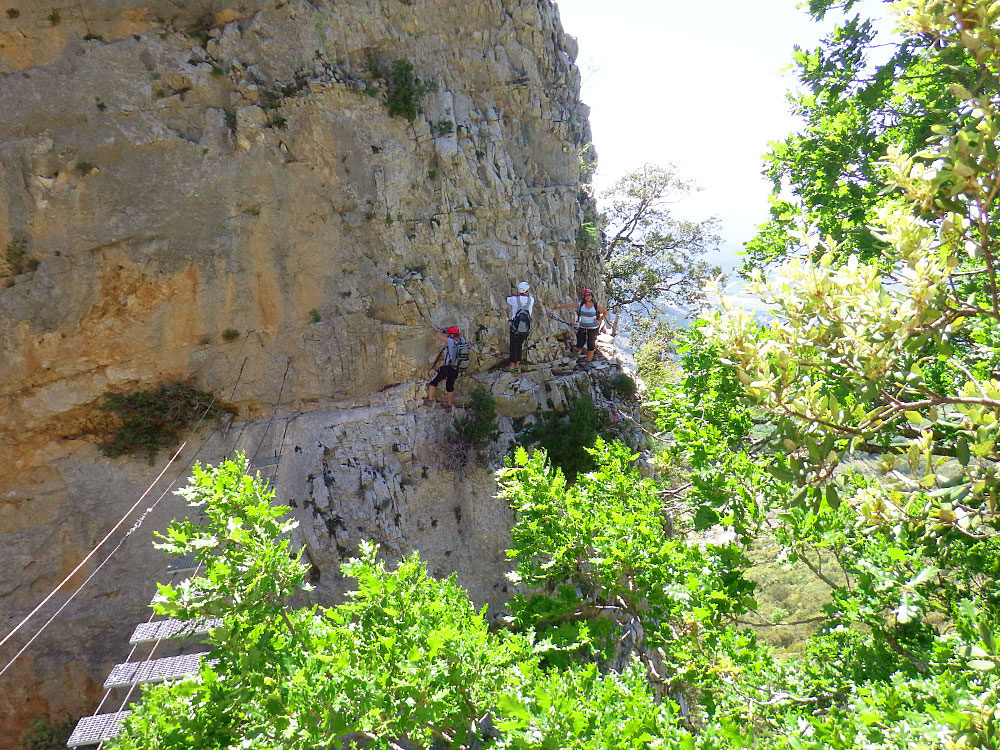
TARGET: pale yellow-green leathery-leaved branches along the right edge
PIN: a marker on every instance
(884, 356)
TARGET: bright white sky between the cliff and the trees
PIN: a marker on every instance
(699, 84)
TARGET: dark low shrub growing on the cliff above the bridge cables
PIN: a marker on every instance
(154, 419)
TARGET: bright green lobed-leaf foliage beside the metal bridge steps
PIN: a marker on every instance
(405, 659)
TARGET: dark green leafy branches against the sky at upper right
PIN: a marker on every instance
(853, 112)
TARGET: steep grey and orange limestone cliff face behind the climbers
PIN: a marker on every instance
(218, 191)
